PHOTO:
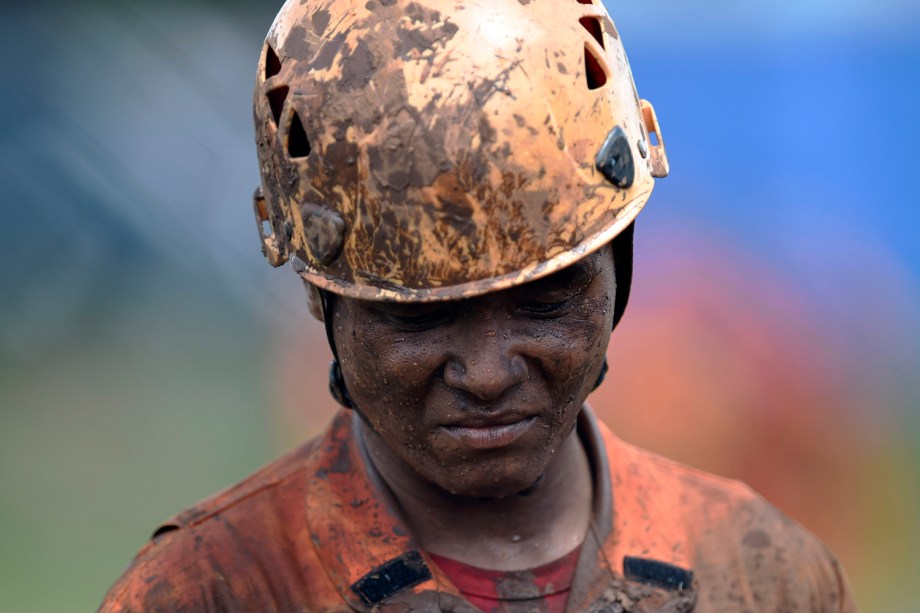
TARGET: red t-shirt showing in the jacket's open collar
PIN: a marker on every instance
(544, 588)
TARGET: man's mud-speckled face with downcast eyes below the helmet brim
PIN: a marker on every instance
(478, 395)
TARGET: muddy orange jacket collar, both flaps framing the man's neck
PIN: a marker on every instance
(371, 557)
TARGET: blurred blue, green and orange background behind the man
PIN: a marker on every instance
(149, 356)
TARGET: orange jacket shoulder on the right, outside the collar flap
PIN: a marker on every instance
(745, 553)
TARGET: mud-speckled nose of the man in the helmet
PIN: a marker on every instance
(486, 363)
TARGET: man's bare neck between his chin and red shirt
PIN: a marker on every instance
(515, 532)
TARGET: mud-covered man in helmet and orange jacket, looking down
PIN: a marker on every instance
(456, 182)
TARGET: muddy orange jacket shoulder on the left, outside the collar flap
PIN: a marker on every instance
(233, 548)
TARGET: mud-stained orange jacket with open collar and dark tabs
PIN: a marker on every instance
(316, 531)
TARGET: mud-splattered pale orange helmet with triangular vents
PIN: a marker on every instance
(415, 150)
